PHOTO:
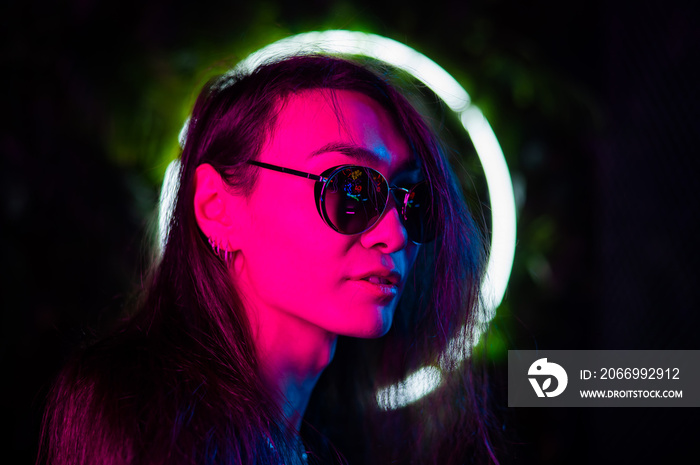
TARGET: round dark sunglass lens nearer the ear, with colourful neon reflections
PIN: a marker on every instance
(354, 198)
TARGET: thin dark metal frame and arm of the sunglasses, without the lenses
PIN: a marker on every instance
(325, 180)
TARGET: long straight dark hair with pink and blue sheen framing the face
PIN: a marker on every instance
(179, 380)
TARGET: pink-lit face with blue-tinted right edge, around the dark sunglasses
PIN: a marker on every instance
(294, 267)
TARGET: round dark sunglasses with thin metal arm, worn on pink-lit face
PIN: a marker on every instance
(351, 199)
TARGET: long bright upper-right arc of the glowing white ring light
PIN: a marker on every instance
(457, 99)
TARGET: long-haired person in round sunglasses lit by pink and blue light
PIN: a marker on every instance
(316, 221)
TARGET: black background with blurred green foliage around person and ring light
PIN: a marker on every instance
(595, 104)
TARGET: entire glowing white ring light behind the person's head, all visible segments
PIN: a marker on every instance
(487, 147)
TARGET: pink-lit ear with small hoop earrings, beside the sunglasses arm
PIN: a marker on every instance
(215, 209)
